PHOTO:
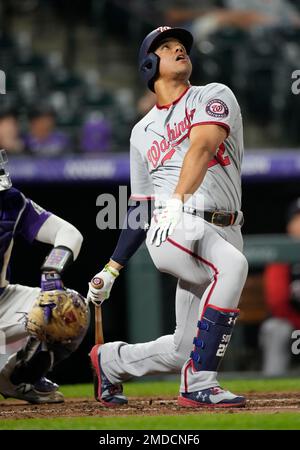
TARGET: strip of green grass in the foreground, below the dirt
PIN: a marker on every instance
(204, 421)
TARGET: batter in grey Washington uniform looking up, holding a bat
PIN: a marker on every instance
(186, 153)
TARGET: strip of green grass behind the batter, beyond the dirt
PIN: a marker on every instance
(170, 388)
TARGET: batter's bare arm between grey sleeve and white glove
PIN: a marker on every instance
(205, 140)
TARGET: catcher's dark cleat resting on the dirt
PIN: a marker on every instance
(43, 391)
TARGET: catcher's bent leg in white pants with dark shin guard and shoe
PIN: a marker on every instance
(23, 375)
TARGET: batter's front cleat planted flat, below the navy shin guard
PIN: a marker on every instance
(214, 397)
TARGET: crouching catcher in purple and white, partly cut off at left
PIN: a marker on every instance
(39, 327)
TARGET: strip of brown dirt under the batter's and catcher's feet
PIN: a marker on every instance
(87, 407)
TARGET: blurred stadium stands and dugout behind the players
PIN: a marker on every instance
(73, 94)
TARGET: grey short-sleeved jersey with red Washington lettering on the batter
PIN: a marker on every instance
(160, 141)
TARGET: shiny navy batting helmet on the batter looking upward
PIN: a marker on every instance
(149, 61)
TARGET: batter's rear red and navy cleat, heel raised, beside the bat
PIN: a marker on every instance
(110, 395)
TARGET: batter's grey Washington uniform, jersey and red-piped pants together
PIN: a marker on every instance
(209, 265)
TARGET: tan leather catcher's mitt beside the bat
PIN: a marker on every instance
(57, 316)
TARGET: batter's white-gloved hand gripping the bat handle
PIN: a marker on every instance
(101, 284)
